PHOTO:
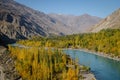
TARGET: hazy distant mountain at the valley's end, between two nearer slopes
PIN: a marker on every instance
(78, 24)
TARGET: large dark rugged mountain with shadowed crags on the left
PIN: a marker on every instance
(20, 22)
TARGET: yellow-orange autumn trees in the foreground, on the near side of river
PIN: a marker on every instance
(46, 64)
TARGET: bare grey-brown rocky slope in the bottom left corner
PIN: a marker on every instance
(7, 66)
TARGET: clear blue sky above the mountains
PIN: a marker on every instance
(100, 8)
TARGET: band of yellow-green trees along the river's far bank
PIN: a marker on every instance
(106, 41)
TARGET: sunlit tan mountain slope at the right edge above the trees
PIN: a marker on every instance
(112, 22)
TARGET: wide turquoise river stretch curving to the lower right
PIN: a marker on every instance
(103, 68)
